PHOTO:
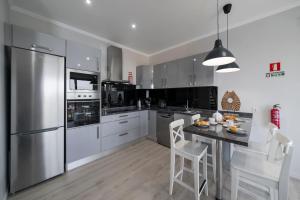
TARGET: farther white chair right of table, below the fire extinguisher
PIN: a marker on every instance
(261, 148)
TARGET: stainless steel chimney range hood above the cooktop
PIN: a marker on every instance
(114, 65)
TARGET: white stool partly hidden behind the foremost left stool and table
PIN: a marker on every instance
(212, 142)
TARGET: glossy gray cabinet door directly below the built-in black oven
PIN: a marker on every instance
(82, 142)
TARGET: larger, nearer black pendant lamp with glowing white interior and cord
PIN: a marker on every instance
(219, 55)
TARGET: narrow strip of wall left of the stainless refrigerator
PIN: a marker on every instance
(3, 131)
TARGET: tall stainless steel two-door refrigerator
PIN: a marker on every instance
(36, 117)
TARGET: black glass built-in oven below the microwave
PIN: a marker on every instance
(83, 112)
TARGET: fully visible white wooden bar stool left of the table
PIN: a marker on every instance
(187, 150)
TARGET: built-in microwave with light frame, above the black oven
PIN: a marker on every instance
(83, 84)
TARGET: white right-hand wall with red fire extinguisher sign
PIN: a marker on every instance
(255, 45)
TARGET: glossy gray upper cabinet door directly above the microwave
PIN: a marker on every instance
(82, 57)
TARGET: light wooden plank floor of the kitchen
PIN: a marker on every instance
(139, 172)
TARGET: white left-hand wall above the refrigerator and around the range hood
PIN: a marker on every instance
(130, 59)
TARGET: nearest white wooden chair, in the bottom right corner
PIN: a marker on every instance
(271, 174)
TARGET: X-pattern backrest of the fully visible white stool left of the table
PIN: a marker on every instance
(176, 131)
